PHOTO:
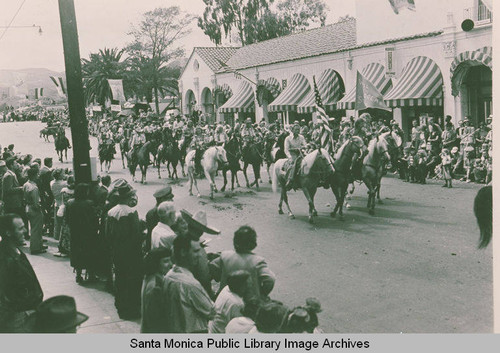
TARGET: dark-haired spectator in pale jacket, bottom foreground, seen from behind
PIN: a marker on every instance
(186, 303)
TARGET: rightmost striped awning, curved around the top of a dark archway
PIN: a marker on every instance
(464, 61)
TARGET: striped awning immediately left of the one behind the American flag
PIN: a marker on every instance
(292, 95)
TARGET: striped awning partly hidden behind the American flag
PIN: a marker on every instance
(330, 88)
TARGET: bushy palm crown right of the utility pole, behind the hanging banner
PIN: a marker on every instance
(104, 65)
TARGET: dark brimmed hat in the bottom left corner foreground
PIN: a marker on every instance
(55, 315)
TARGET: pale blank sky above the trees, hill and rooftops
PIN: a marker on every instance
(101, 23)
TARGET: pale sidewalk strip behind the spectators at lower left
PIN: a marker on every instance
(57, 278)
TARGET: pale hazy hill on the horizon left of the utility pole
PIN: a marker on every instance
(31, 78)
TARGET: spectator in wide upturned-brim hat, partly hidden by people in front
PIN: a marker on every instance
(197, 225)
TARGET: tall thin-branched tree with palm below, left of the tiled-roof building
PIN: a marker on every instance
(154, 46)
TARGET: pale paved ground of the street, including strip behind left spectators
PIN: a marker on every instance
(412, 268)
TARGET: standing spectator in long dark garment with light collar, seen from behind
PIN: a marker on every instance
(123, 232)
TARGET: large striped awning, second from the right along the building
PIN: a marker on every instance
(421, 83)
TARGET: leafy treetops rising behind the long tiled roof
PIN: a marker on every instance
(254, 20)
